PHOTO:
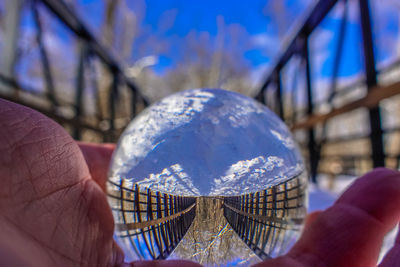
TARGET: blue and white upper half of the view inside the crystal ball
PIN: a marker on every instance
(206, 142)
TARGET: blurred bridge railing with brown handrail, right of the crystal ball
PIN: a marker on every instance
(351, 154)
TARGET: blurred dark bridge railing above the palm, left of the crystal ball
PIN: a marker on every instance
(101, 100)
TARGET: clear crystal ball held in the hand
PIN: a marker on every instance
(207, 175)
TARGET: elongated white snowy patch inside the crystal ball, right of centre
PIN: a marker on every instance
(253, 175)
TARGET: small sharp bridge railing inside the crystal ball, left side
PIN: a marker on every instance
(152, 223)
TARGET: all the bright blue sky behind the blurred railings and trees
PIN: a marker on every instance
(171, 21)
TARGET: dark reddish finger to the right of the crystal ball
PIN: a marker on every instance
(351, 232)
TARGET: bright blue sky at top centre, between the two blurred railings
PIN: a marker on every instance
(201, 16)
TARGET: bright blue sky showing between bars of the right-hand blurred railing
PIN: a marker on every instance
(385, 21)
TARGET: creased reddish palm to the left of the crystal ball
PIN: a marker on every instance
(53, 211)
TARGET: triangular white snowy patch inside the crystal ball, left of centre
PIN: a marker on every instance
(172, 180)
